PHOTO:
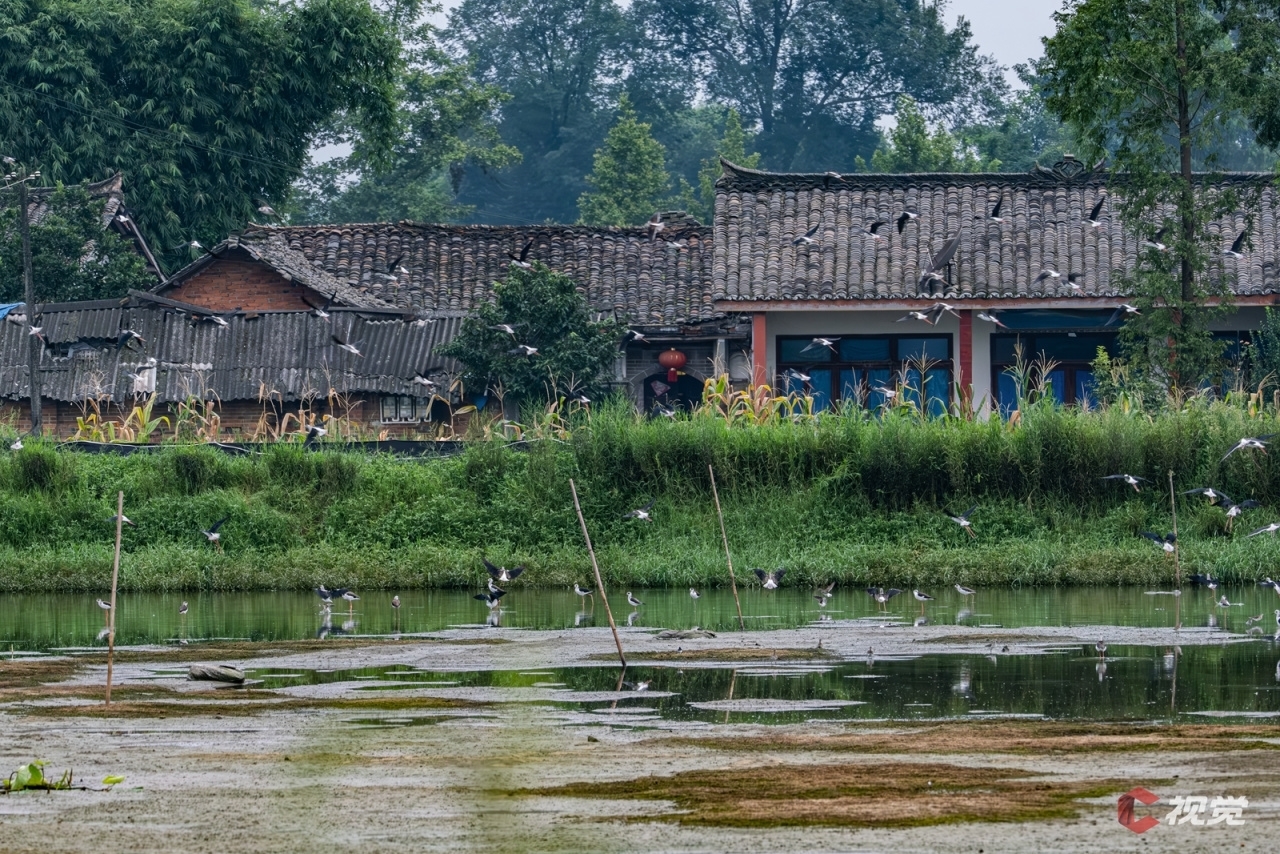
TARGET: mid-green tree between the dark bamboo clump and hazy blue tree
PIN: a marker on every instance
(445, 125)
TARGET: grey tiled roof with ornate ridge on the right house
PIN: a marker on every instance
(758, 214)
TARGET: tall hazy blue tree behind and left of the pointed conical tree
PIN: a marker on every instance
(563, 63)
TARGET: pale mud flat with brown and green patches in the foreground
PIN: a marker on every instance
(473, 741)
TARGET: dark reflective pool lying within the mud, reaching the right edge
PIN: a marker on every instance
(1229, 684)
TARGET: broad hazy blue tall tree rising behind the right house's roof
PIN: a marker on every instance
(816, 75)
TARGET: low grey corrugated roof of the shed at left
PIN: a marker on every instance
(290, 353)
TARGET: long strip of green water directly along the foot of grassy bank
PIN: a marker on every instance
(48, 622)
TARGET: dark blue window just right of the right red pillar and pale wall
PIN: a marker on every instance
(1071, 355)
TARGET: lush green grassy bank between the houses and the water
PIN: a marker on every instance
(831, 499)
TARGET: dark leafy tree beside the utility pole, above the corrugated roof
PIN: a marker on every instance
(72, 255)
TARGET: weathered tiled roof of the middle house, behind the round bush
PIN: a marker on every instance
(648, 284)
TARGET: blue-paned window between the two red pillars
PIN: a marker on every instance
(862, 368)
